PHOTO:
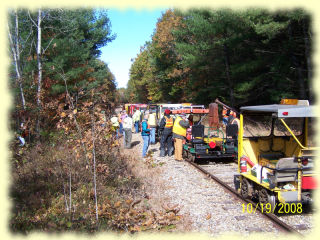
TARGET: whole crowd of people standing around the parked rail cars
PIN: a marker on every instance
(173, 130)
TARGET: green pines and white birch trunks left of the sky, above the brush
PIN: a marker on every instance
(55, 54)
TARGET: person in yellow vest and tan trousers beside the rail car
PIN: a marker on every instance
(179, 131)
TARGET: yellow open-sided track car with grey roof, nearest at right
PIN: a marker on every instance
(275, 154)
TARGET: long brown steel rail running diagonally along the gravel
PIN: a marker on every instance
(270, 216)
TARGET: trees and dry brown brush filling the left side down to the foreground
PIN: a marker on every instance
(62, 96)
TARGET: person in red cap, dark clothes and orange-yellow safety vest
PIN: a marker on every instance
(165, 126)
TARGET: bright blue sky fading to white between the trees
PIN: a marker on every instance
(133, 28)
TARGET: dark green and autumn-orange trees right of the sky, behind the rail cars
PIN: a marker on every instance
(251, 56)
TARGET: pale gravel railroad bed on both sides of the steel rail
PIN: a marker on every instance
(209, 206)
